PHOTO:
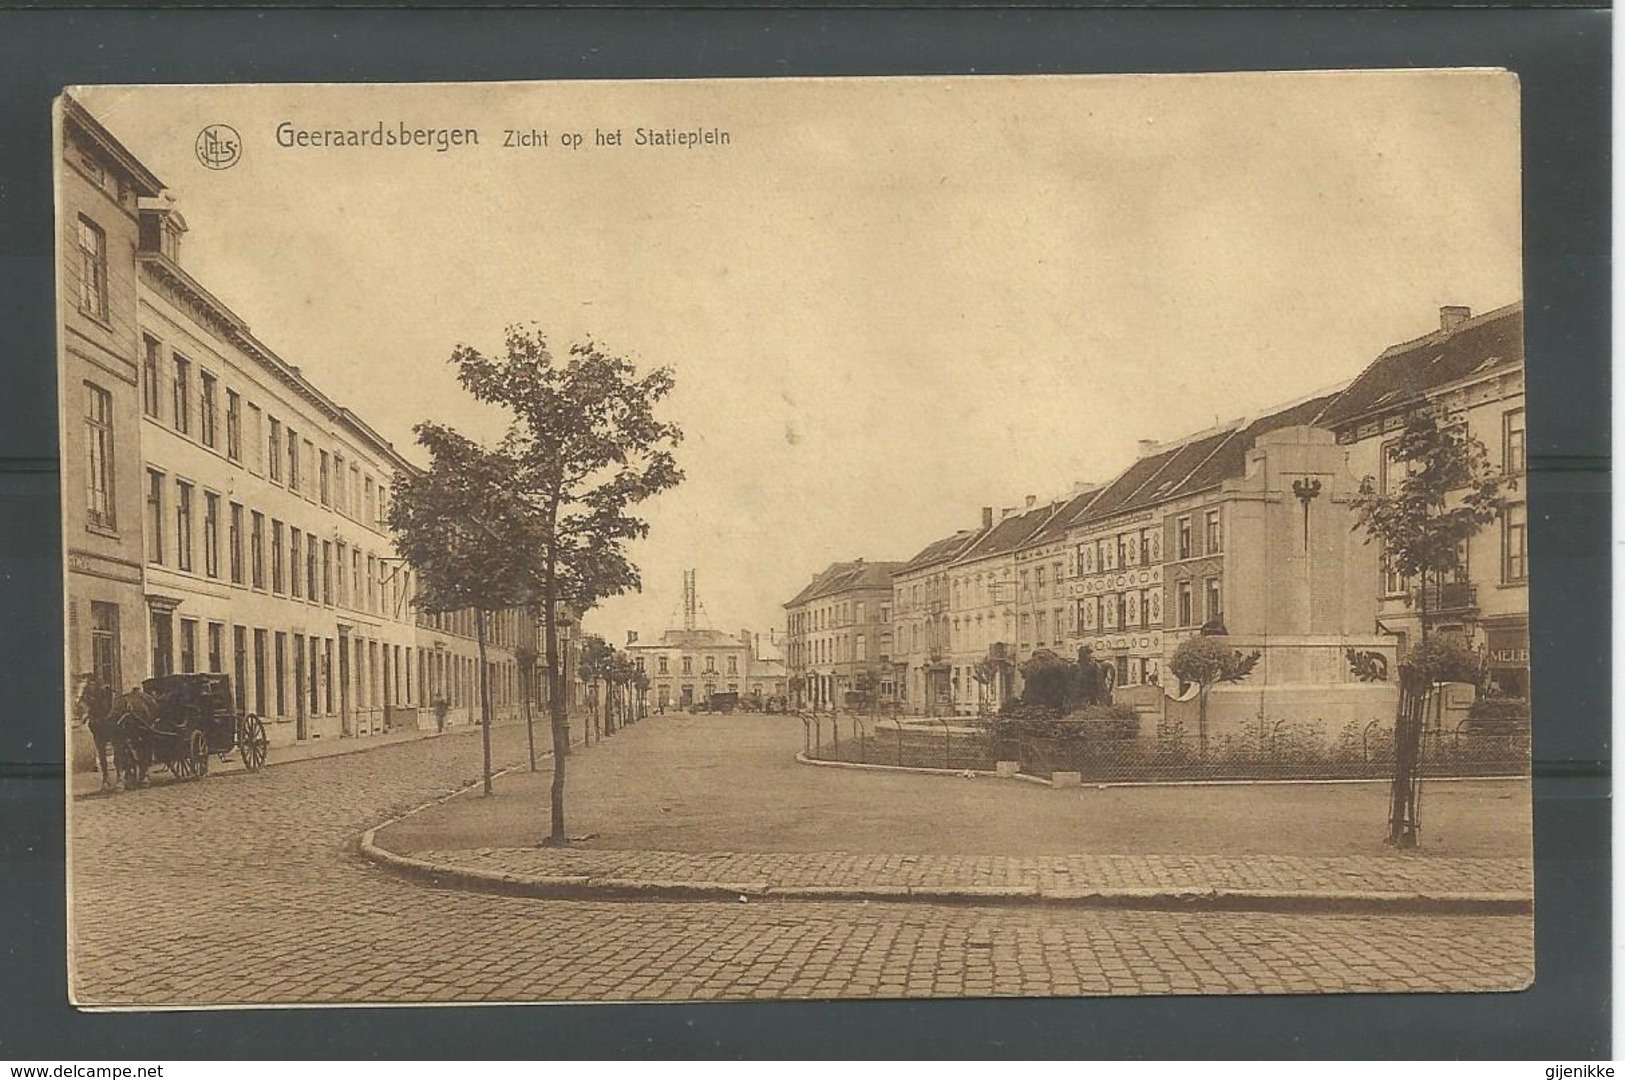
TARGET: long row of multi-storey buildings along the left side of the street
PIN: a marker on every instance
(238, 514)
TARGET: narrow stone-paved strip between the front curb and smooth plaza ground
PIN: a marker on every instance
(1049, 875)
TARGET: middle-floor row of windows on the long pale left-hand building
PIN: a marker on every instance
(282, 559)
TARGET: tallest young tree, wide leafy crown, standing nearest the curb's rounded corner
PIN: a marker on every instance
(591, 447)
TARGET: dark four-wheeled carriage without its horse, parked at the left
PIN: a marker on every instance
(197, 719)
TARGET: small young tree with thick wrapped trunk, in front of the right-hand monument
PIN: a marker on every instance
(1445, 495)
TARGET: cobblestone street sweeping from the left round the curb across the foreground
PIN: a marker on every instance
(248, 889)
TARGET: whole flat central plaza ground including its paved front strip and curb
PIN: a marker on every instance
(717, 810)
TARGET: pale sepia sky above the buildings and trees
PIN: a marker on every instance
(888, 303)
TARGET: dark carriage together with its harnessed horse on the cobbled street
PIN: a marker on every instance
(180, 722)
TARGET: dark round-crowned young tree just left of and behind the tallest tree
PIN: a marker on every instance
(454, 525)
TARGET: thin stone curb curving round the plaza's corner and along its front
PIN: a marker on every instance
(1192, 901)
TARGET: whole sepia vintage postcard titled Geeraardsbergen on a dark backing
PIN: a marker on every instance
(795, 538)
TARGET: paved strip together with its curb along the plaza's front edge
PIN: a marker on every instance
(1151, 883)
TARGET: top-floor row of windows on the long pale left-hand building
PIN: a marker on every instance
(274, 449)
